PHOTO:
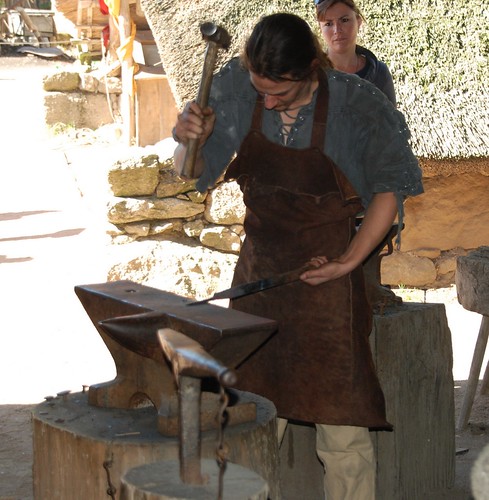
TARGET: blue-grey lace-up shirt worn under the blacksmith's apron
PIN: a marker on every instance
(366, 136)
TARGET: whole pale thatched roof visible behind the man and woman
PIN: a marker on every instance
(437, 51)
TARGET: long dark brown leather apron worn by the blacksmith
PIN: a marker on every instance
(318, 366)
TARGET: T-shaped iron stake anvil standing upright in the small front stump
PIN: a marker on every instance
(190, 362)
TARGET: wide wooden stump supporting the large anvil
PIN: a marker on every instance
(82, 451)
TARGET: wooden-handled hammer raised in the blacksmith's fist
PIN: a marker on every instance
(216, 37)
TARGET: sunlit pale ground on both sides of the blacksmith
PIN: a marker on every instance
(52, 237)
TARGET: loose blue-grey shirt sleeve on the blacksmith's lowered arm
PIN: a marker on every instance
(369, 140)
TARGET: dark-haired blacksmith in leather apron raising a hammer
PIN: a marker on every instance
(315, 147)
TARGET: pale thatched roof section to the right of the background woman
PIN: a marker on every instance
(438, 54)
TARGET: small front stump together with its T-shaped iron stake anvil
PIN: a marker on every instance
(190, 363)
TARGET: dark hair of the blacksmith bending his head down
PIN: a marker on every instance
(283, 44)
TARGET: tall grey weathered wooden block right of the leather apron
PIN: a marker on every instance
(413, 354)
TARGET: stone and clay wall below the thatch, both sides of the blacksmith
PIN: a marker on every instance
(151, 202)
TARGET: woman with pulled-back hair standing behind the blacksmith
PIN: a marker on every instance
(340, 21)
